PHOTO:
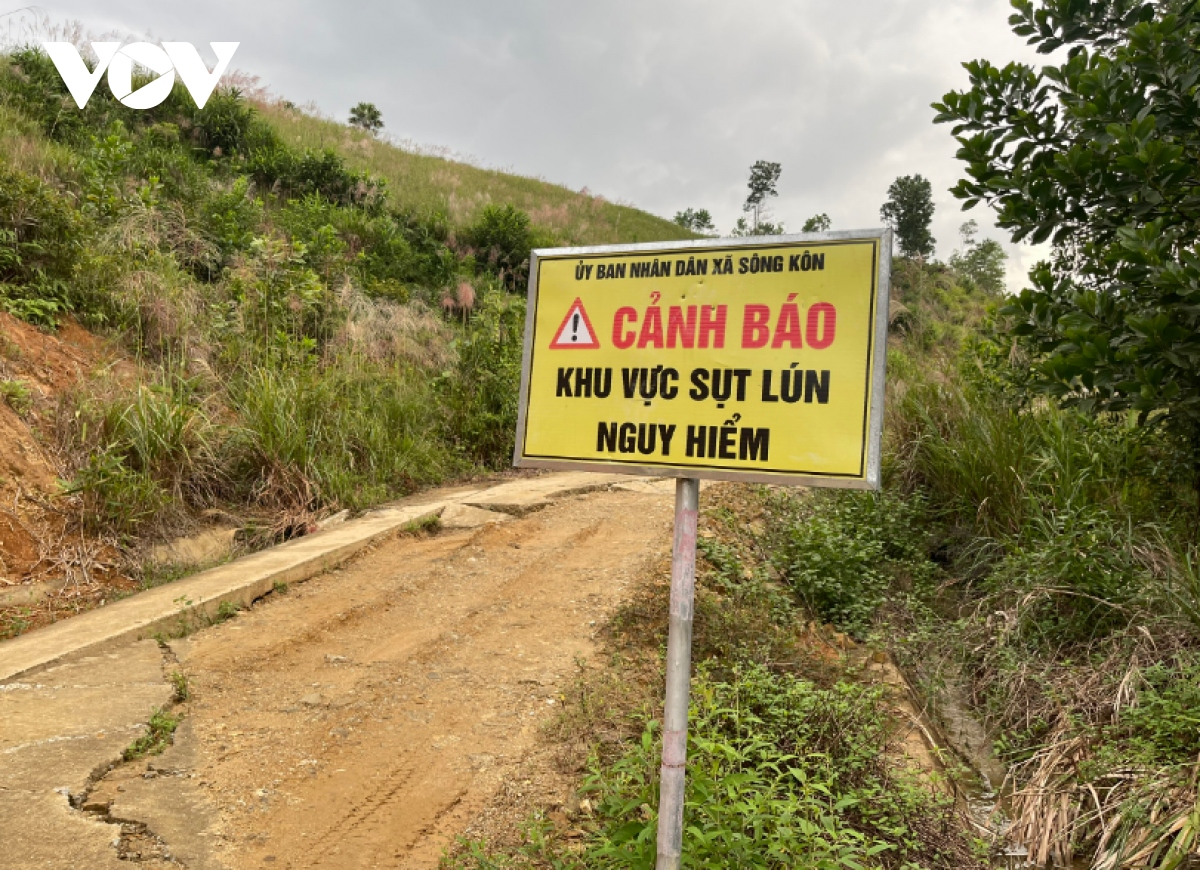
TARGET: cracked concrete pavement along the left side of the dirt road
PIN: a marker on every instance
(71, 701)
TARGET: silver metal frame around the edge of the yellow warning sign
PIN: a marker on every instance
(878, 347)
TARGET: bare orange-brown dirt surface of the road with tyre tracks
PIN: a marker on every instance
(363, 719)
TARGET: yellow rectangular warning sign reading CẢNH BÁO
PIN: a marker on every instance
(731, 359)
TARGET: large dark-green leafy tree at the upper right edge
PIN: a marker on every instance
(1100, 155)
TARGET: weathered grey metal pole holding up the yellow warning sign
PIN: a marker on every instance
(675, 717)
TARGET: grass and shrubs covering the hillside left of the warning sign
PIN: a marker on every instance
(319, 320)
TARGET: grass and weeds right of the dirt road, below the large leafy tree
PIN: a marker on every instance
(1033, 565)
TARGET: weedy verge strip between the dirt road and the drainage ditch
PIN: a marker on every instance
(795, 745)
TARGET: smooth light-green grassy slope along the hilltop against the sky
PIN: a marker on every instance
(427, 183)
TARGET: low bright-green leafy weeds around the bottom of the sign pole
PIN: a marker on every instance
(781, 775)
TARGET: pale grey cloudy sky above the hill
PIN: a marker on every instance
(661, 104)
